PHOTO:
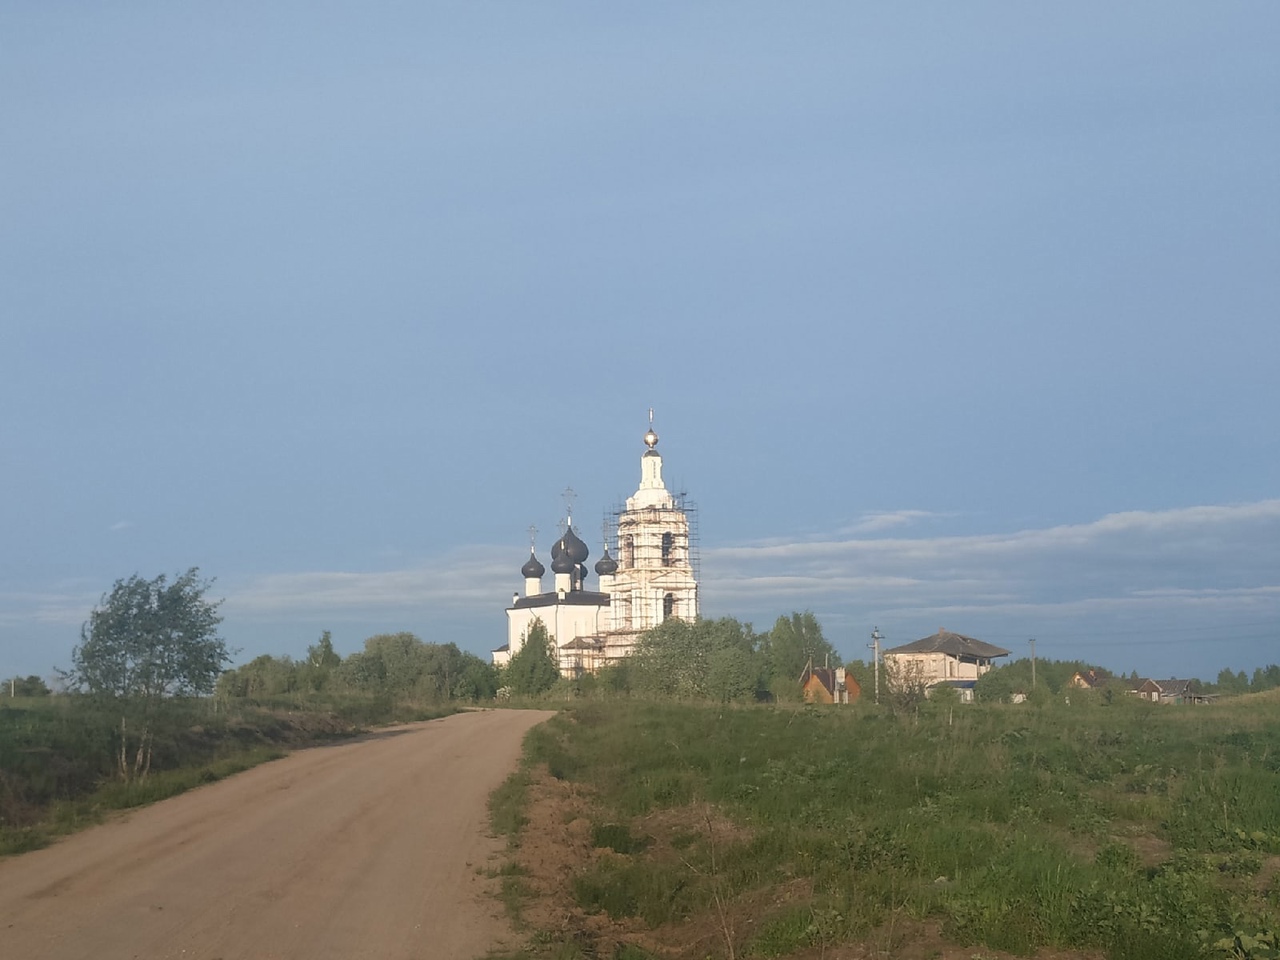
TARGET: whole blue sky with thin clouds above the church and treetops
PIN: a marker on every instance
(953, 316)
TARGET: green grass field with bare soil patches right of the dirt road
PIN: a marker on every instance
(1123, 831)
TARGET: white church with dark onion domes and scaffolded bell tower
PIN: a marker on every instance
(651, 579)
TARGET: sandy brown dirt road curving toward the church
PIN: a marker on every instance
(368, 849)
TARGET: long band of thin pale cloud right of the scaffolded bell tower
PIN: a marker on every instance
(1220, 559)
